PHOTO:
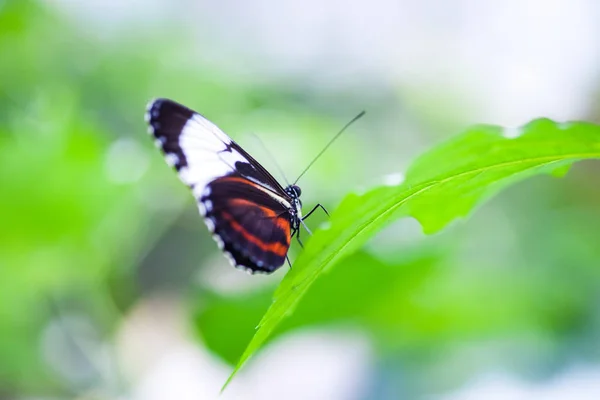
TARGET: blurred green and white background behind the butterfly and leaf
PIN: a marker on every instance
(111, 287)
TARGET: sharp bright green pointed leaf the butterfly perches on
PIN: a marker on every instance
(445, 183)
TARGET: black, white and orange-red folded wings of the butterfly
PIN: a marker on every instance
(245, 208)
